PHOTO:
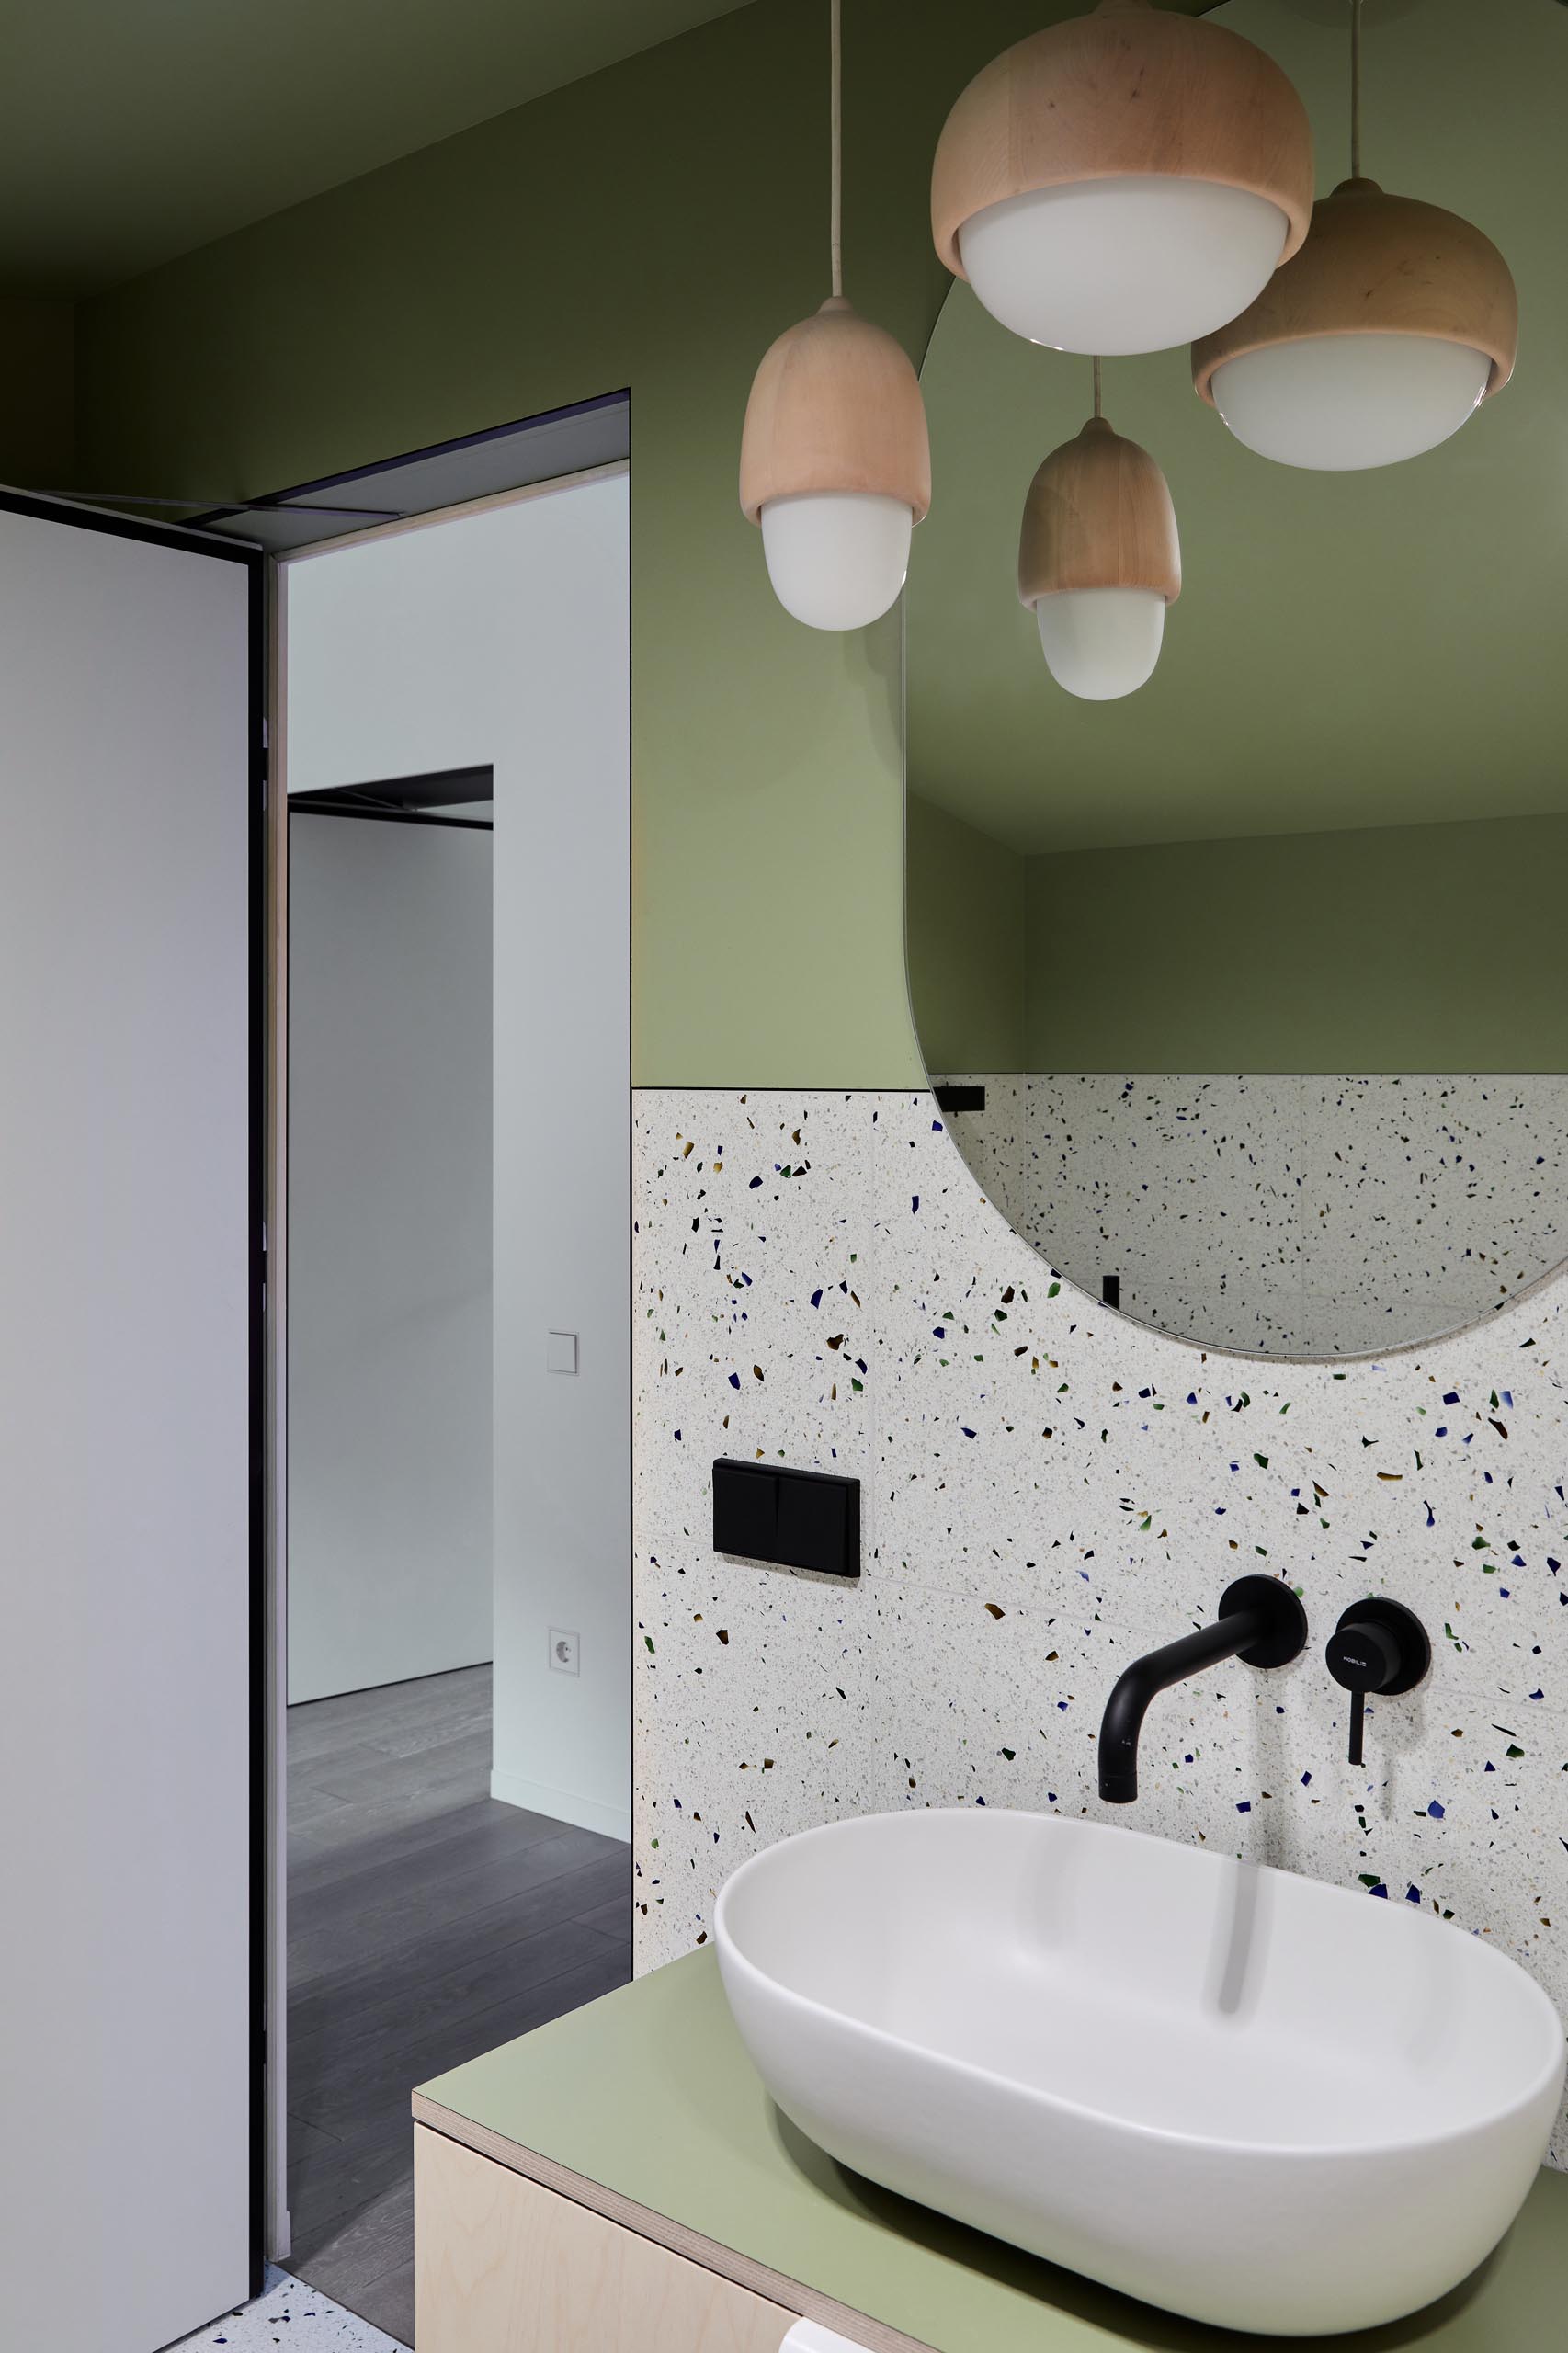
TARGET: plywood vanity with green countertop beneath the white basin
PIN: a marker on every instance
(620, 2182)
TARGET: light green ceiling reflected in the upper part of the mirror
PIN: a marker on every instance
(1350, 651)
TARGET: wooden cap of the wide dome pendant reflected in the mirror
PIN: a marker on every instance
(1378, 265)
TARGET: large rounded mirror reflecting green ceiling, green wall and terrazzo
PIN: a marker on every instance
(1261, 964)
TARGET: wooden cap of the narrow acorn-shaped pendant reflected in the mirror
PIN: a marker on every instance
(1098, 516)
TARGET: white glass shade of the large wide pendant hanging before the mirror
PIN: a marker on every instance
(1122, 265)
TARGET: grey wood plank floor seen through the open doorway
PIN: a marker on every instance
(427, 1924)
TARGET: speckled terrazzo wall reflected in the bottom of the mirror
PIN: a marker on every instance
(1284, 1215)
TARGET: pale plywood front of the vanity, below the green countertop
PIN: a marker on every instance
(512, 2267)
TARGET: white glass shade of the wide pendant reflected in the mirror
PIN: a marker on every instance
(1346, 401)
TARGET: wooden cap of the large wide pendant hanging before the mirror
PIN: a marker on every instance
(1124, 93)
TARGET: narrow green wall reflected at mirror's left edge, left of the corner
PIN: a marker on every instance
(969, 971)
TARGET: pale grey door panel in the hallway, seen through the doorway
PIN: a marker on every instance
(390, 1251)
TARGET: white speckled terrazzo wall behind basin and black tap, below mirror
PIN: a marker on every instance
(1047, 1491)
